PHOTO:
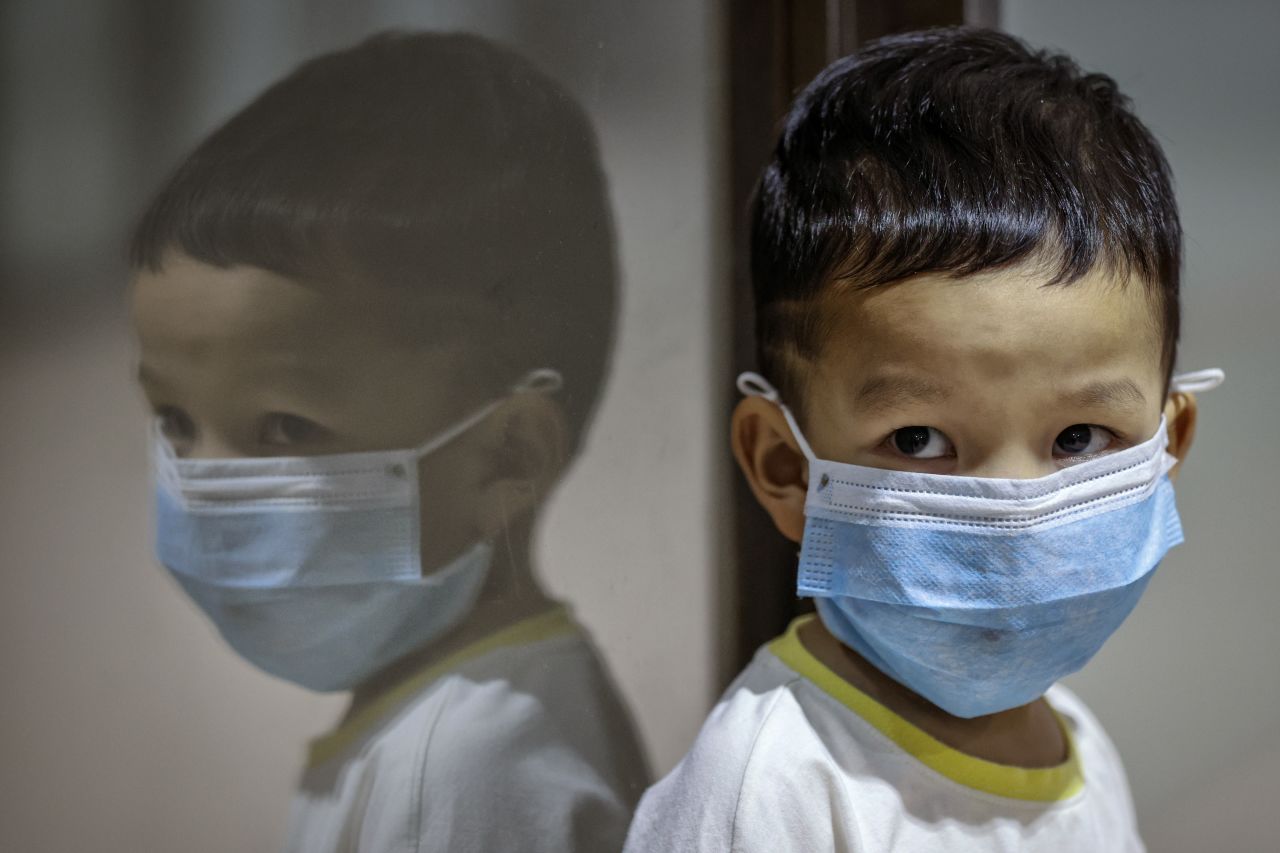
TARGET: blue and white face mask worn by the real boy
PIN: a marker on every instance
(980, 594)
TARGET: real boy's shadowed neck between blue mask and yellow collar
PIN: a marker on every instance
(1026, 737)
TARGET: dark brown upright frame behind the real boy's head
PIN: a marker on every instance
(775, 49)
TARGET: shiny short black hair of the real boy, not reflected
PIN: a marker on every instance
(954, 150)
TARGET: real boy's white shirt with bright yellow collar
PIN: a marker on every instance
(797, 760)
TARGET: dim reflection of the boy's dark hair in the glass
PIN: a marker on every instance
(441, 166)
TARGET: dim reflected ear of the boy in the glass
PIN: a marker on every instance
(529, 450)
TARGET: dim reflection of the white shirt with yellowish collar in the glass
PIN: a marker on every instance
(518, 742)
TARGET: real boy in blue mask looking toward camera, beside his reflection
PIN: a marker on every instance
(966, 261)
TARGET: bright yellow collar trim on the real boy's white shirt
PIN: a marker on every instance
(1036, 784)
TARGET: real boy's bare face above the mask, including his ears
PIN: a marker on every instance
(989, 376)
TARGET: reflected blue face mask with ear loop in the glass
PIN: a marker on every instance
(310, 565)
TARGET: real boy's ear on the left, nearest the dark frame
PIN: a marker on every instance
(772, 463)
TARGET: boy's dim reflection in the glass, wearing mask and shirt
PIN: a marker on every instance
(374, 313)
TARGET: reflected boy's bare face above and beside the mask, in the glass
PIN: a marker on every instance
(241, 362)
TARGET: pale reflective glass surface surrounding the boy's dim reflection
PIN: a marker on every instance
(127, 724)
